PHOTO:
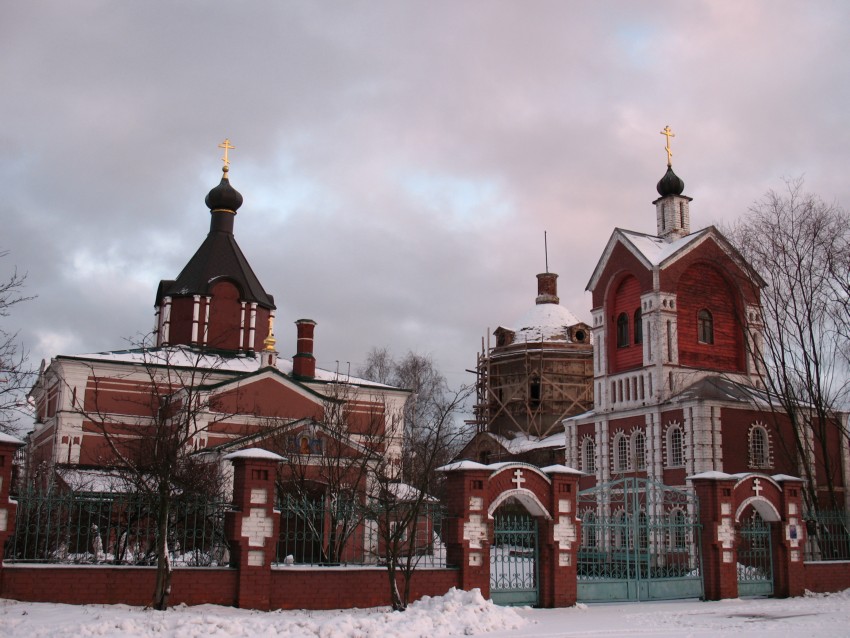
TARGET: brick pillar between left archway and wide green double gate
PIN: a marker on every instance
(559, 540)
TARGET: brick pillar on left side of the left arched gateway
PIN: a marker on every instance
(469, 531)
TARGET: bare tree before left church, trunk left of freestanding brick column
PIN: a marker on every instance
(148, 427)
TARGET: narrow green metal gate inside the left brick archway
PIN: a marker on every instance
(513, 560)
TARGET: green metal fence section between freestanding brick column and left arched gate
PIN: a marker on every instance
(330, 532)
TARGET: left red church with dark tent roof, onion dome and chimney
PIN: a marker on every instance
(213, 347)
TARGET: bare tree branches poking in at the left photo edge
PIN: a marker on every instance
(15, 374)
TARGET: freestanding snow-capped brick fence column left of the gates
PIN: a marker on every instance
(252, 528)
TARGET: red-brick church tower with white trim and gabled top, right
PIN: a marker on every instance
(677, 390)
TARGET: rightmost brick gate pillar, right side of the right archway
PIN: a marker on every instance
(789, 539)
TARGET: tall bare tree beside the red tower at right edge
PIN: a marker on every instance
(801, 246)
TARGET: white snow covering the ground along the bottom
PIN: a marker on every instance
(455, 614)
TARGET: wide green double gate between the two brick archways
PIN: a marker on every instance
(639, 541)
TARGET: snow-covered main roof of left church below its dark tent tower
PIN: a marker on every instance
(178, 356)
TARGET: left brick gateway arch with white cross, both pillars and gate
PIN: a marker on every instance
(516, 531)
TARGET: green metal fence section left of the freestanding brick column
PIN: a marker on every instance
(115, 528)
